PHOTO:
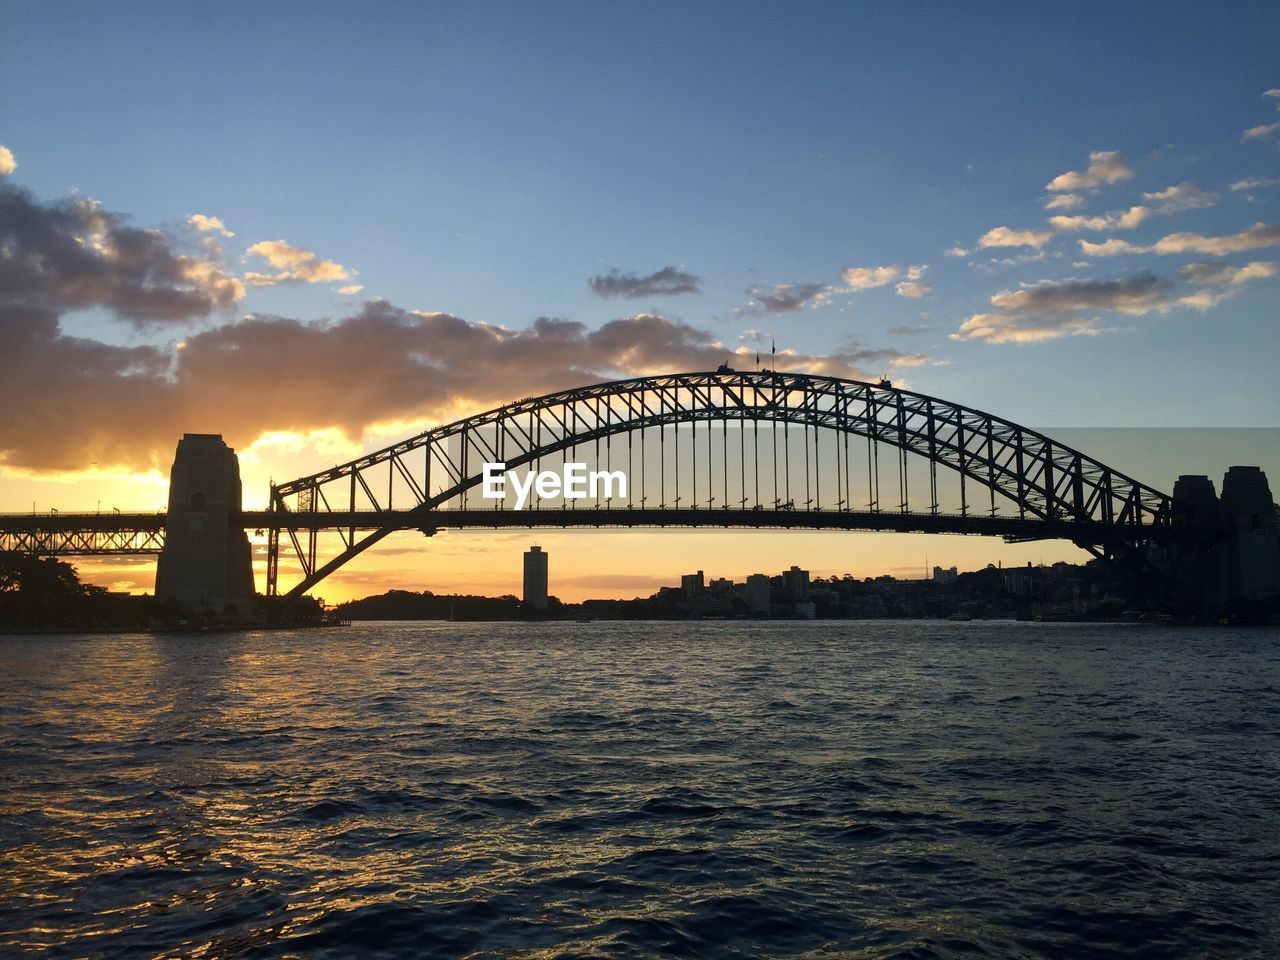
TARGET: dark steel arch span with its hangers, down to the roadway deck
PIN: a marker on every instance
(729, 450)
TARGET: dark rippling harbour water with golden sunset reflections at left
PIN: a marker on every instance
(862, 790)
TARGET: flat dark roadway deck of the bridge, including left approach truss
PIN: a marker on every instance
(86, 534)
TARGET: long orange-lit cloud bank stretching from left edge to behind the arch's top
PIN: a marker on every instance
(70, 401)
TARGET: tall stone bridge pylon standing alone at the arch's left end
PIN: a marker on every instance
(205, 565)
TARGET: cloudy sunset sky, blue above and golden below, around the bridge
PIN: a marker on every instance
(318, 230)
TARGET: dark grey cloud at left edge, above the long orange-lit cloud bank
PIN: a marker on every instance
(72, 255)
